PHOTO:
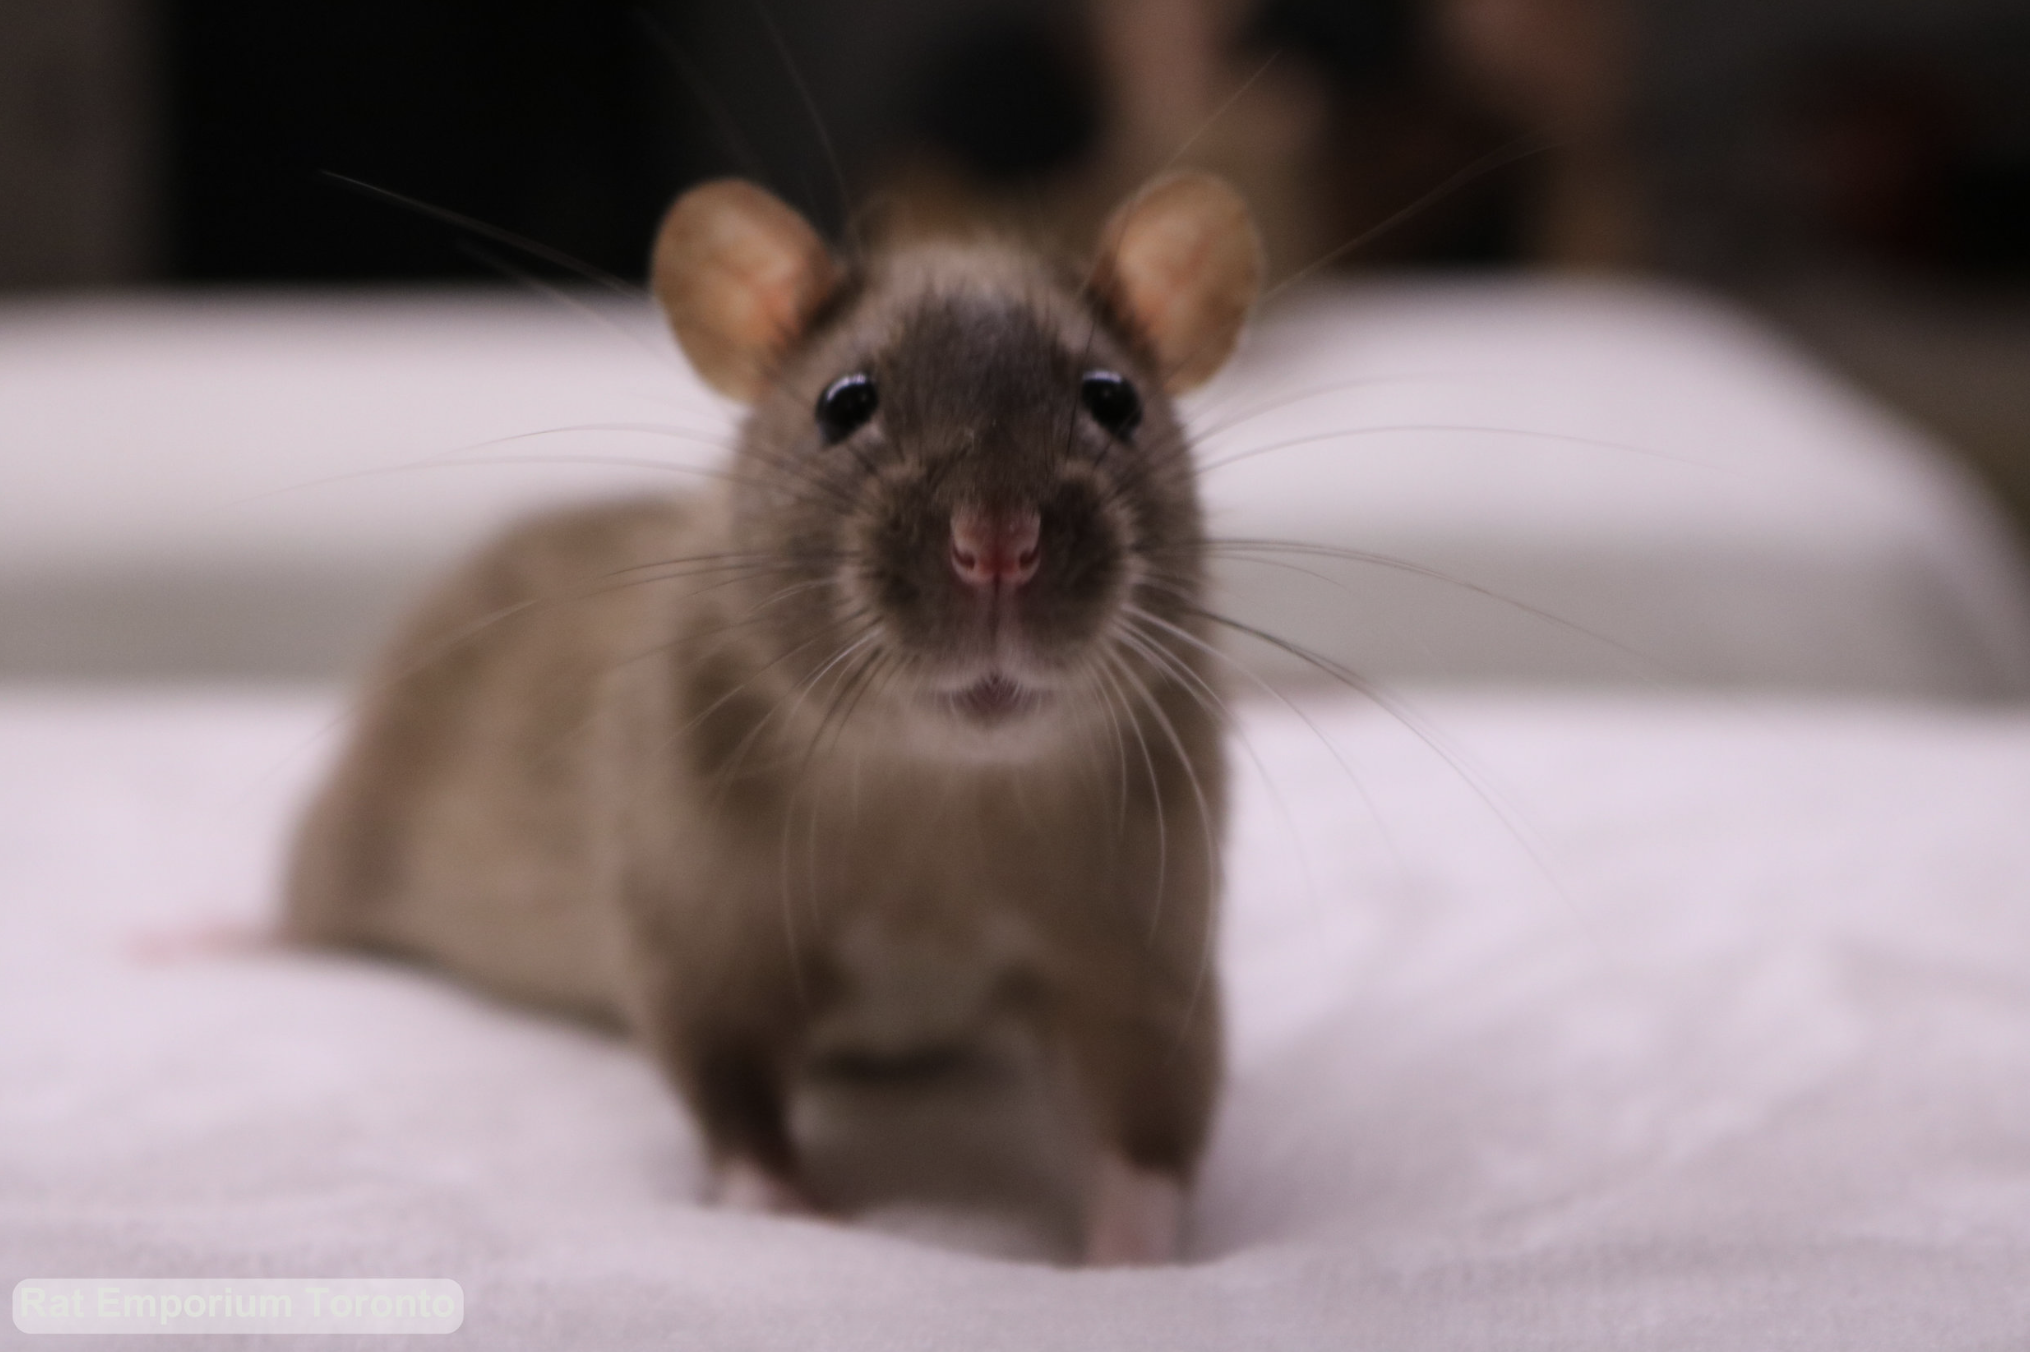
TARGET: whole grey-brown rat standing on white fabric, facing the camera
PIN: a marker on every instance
(898, 738)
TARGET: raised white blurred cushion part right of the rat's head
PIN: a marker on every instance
(1645, 486)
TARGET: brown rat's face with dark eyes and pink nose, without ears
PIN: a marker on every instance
(984, 502)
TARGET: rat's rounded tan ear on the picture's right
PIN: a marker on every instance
(1180, 263)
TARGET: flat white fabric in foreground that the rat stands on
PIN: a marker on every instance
(1716, 1036)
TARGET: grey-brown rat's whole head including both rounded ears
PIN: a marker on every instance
(963, 472)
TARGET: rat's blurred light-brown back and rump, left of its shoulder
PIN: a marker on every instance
(458, 827)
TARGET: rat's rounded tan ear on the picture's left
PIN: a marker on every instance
(738, 275)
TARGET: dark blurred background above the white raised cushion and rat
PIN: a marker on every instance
(1858, 170)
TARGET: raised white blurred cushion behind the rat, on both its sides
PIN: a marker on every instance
(255, 484)
